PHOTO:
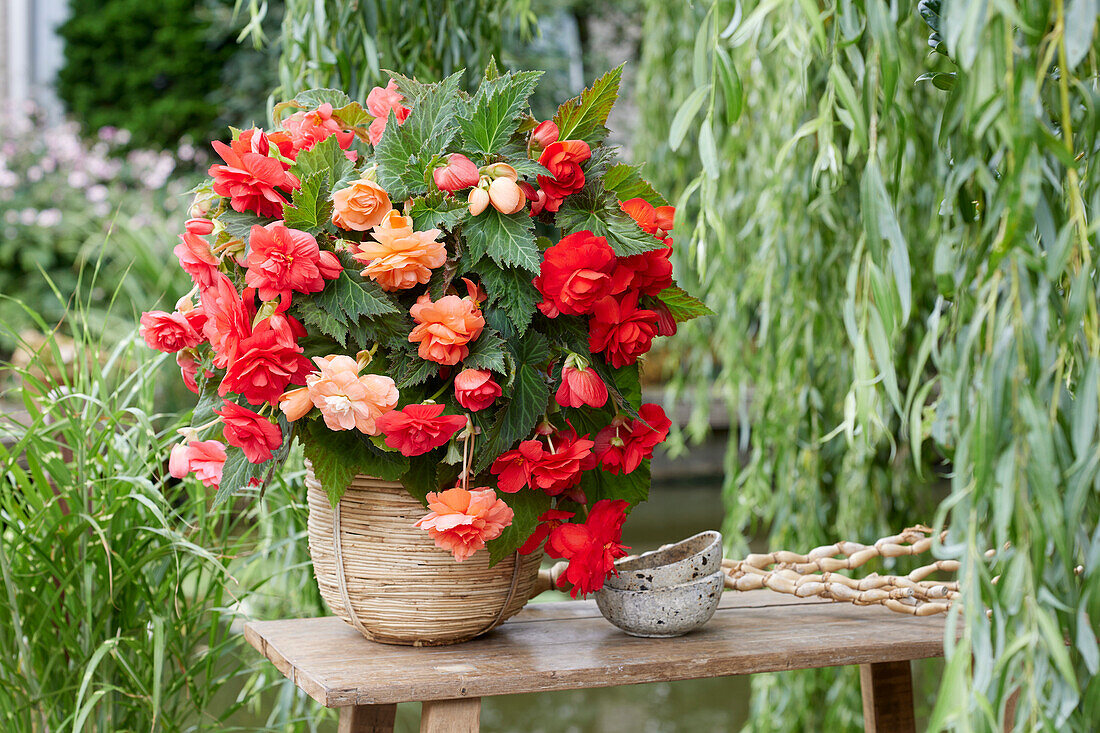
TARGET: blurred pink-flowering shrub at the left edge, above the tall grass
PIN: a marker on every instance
(61, 199)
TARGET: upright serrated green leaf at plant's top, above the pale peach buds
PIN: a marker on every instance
(492, 115)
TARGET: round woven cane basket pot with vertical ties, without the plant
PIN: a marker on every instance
(389, 581)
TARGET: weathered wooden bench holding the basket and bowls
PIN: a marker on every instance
(565, 647)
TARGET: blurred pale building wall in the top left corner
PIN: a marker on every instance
(31, 51)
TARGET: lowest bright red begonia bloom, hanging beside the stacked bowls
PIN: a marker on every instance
(591, 549)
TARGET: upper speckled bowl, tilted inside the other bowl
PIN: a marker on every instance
(697, 557)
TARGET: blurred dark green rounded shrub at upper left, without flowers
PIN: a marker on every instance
(166, 71)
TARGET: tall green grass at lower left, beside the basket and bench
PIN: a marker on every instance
(122, 588)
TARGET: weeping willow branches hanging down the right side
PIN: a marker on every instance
(896, 233)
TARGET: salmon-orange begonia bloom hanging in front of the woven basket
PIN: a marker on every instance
(461, 522)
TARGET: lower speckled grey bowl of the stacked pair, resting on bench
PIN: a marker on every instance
(670, 611)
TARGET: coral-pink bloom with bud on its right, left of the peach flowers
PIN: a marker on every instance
(283, 261)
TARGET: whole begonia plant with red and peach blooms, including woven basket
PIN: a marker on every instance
(445, 301)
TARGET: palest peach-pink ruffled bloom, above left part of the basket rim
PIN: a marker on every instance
(348, 400)
